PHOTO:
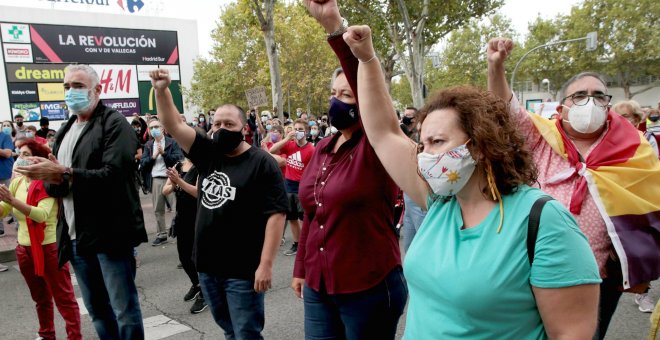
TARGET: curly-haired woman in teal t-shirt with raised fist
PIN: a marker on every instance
(467, 268)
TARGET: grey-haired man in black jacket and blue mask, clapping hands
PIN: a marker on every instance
(95, 150)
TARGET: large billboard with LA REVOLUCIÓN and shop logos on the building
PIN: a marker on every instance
(35, 56)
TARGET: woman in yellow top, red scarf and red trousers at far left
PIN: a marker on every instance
(36, 251)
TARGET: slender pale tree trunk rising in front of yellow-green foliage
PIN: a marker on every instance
(263, 10)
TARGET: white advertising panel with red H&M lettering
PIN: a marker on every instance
(118, 81)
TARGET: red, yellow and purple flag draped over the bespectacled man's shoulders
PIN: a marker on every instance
(622, 174)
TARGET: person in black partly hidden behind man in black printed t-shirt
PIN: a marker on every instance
(182, 180)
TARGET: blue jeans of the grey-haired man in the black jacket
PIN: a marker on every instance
(107, 284)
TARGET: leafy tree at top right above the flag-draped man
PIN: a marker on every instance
(629, 44)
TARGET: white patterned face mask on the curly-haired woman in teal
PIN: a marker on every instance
(447, 173)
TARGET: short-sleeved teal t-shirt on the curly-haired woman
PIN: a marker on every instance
(475, 283)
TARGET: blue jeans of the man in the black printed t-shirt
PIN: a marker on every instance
(236, 307)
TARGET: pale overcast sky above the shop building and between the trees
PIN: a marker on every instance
(206, 12)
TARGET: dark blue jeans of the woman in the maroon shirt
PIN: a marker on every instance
(370, 314)
